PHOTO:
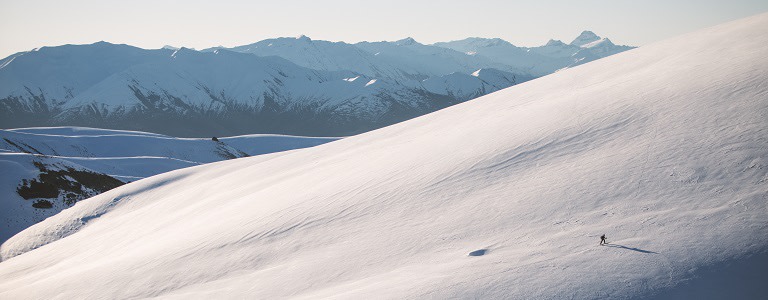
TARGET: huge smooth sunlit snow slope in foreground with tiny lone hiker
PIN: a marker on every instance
(664, 149)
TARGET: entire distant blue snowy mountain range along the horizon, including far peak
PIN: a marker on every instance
(284, 85)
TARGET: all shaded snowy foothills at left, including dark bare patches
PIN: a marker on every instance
(45, 170)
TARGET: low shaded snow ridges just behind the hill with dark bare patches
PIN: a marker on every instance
(106, 143)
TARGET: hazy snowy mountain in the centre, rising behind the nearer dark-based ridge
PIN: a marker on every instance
(405, 61)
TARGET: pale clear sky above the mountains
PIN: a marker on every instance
(29, 24)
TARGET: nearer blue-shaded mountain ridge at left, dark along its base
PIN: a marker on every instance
(191, 93)
